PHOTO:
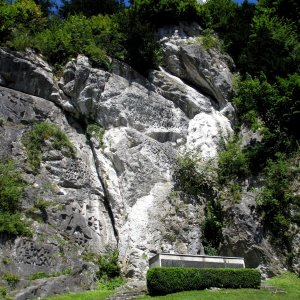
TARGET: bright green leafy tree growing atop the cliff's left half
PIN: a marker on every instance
(96, 37)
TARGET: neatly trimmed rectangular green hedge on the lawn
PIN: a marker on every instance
(162, 281)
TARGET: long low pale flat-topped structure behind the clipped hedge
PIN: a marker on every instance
(196, 261)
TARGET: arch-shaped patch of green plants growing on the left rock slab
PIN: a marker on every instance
(34, 141)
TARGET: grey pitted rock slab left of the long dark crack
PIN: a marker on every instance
(75, 218)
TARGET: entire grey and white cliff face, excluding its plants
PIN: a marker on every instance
(117, 191)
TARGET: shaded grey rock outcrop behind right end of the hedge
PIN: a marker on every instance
(244, 236)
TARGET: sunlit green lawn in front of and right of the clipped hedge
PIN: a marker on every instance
(288, 282)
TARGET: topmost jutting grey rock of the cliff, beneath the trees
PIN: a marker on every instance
(184, 58)
